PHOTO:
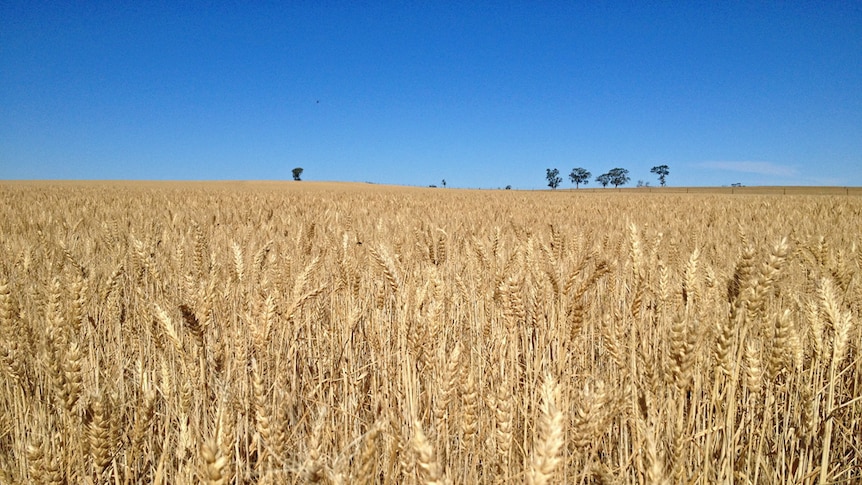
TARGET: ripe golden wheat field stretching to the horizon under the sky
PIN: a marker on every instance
(350, 333)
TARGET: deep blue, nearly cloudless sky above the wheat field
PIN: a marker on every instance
(482, 94)
